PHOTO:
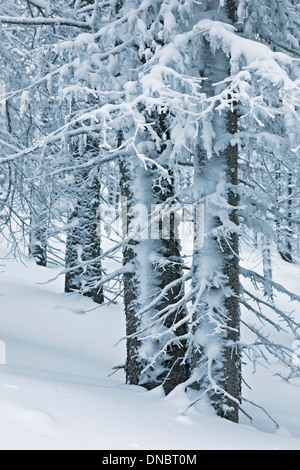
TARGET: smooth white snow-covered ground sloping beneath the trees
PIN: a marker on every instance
(56, 391)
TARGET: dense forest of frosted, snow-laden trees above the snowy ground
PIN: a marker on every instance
(123, 121)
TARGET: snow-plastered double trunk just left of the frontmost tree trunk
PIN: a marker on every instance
(156, 261)
